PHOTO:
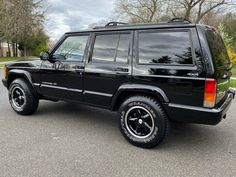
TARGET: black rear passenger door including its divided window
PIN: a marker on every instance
(108, 66)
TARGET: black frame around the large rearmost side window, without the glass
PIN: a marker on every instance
(164, 31)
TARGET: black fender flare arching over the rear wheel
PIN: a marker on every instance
(139, 88)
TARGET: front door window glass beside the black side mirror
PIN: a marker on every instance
(72, 48)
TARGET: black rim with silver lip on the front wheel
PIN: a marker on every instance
(18, 97)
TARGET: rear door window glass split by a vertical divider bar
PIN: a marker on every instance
(111, 48)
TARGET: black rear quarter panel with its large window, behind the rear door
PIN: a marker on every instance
(171, 59)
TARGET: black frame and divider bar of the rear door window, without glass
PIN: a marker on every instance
(90, 61)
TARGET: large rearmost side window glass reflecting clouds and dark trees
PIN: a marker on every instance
(165, 48)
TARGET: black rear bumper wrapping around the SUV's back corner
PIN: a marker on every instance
(190, 114)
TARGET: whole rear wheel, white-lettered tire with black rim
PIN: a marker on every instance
(143, 121)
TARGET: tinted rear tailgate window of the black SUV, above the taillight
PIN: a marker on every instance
(217, 48)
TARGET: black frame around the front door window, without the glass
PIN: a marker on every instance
(62, 41)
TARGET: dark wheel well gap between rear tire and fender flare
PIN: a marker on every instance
(125, 94)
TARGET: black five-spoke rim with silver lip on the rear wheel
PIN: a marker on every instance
(139, 122)
